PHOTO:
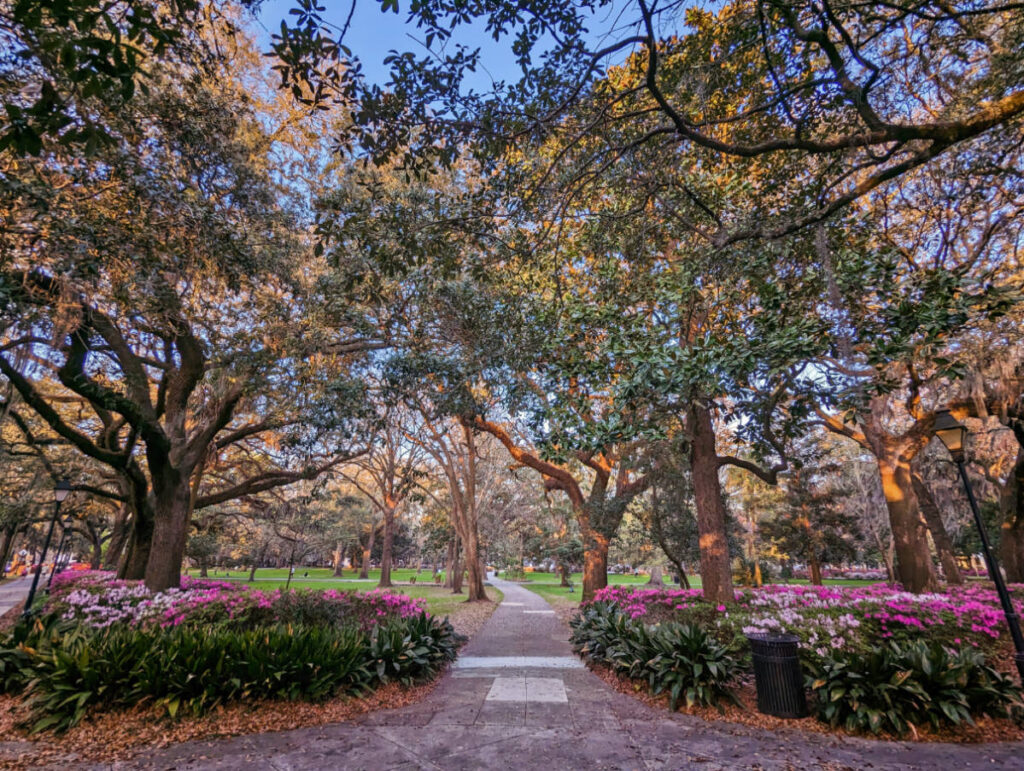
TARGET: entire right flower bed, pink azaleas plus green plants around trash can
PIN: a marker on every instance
(877, 659)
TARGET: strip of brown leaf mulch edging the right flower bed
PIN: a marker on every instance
(985, 731)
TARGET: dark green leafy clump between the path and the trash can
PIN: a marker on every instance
(678, 659)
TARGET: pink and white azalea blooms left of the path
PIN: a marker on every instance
(97, 599)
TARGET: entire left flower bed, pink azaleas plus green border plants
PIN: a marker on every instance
(99, 642)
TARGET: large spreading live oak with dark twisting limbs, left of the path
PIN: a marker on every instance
(155, 287)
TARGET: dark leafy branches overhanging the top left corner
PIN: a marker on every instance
(71, 53)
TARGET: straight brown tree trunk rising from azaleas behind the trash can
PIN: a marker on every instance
(715, 574)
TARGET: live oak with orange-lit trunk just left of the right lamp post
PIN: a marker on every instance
(902, 295)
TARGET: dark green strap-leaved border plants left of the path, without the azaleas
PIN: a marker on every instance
(67, 672)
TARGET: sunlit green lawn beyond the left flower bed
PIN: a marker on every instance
(441, 602)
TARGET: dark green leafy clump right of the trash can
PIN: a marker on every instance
(904, 684)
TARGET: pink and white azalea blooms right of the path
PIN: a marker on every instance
(832, 618)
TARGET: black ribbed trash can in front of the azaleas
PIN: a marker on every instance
(778, 675)
